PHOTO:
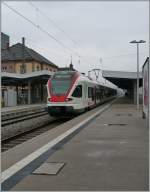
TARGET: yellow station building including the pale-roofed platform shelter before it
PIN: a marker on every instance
(24, 74)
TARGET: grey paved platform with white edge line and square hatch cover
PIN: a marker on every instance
(110, 152)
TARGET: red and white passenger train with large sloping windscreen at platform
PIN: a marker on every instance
(70, 92)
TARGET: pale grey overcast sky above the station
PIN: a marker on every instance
(98, 32)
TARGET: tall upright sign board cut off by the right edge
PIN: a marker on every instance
(146, 88)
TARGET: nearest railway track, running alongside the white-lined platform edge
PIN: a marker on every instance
(18, 139)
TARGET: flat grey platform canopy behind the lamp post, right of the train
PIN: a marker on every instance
(122, 79)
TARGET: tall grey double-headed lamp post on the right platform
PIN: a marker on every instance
(137, 43)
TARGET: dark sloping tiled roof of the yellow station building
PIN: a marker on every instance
(16, 53)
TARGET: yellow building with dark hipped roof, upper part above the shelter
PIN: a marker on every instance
(19, 58)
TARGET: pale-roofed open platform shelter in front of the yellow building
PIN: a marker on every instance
(21, 89)
